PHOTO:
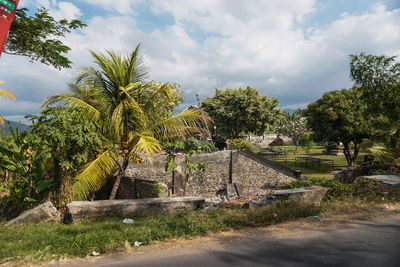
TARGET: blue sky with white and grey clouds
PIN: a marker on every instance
(294, 50)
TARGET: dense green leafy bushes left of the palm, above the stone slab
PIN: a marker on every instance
(43, 160)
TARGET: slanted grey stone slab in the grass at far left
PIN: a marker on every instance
(42, 213)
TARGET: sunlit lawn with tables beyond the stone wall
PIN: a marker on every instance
(312, 171)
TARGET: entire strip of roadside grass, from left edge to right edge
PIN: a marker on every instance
(35, 243)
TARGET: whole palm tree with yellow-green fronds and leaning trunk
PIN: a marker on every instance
(135, 116)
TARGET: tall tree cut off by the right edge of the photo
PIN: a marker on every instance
(379, 80)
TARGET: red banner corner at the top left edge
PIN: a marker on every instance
(7, 12)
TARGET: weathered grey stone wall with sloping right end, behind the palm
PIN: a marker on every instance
(229, 166)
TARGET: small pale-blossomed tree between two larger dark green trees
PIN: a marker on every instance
(293, 126)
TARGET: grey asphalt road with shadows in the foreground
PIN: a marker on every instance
(374, 242)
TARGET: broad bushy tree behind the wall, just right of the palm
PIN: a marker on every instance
(241, 110)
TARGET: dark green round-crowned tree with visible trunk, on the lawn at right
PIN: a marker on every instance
(340, 116)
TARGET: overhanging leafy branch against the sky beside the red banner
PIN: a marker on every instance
(37, 37)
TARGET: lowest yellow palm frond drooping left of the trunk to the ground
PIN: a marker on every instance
(94, 174)
